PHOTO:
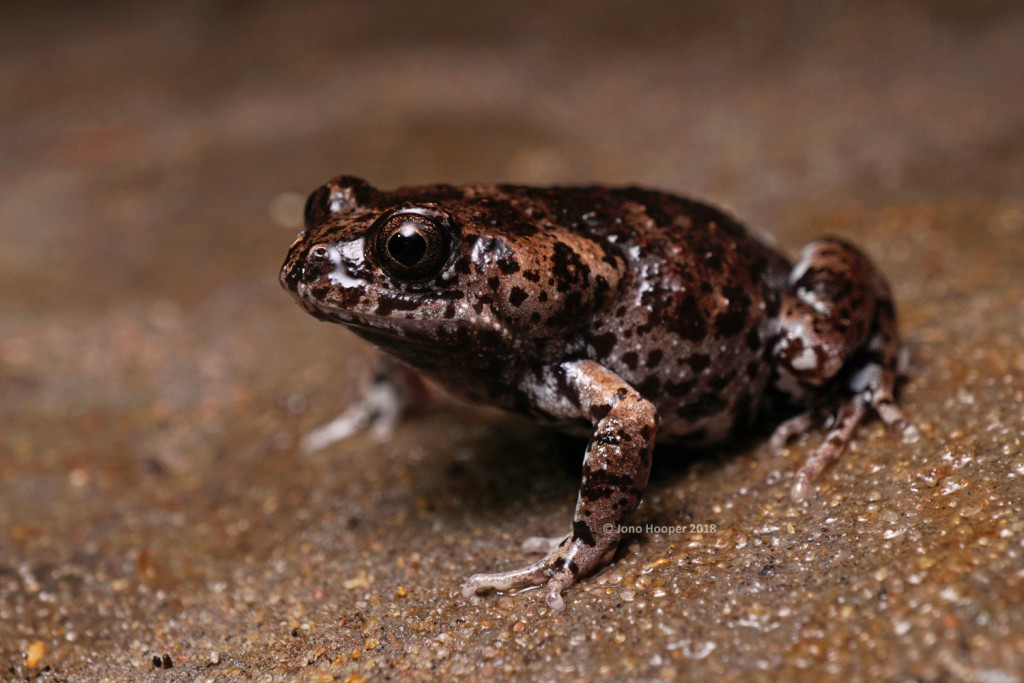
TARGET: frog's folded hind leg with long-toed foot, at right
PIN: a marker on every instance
(838, 350)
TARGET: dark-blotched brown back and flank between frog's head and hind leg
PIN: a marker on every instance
(692, 323)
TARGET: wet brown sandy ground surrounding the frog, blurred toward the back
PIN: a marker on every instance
(157, 522)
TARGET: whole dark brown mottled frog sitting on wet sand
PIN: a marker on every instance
(618, 314)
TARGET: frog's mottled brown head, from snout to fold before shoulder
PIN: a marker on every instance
(476, 269)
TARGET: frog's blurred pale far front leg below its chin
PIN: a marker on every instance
(380, 406)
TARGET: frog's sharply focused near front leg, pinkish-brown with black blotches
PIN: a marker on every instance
(615, 474)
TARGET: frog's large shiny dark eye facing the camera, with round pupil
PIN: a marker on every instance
(413, 244)
